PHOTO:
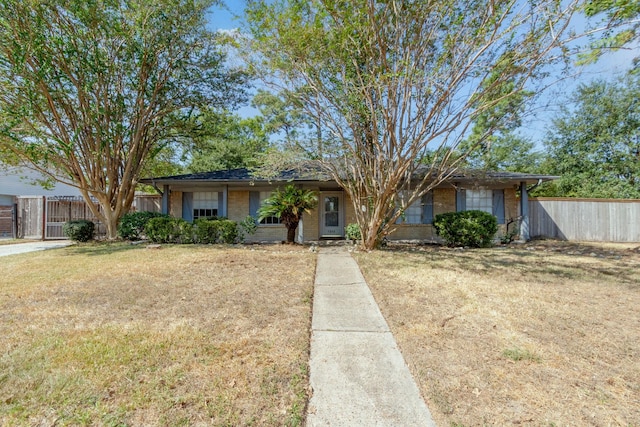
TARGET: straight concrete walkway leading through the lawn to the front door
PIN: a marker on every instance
(357, 374)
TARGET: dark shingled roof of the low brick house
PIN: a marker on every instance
(245, 175)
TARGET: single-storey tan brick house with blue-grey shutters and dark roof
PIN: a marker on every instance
(236, 193)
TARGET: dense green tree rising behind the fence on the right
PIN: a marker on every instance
(595, 147)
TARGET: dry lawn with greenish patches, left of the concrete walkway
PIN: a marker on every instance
(184, 335)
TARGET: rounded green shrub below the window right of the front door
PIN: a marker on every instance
(469, 228)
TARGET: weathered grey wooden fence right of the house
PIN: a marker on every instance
(595, 220)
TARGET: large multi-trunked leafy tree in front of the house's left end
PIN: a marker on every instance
(91, 90)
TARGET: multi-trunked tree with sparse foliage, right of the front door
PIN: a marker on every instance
(392, 81)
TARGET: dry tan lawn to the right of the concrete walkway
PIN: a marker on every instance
(542, 335)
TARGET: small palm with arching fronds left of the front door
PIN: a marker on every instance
(288, 205)
